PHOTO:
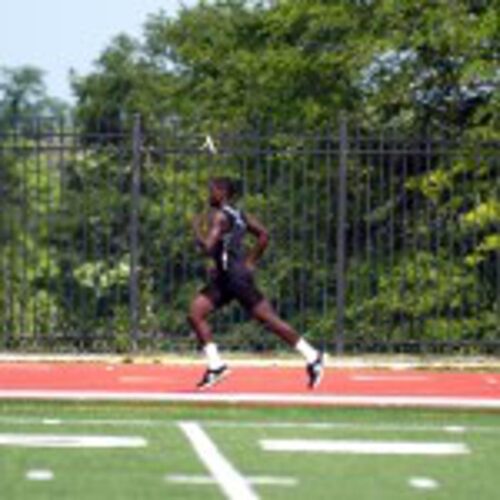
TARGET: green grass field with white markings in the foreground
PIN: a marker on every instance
(169, 467)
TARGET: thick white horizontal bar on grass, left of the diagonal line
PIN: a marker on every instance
(70, 441)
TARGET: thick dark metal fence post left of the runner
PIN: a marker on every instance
(134, 231)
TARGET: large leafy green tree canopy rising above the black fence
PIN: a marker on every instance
(409, 64)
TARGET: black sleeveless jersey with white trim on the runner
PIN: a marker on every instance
(229, 252)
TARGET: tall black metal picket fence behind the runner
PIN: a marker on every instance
(379, 242)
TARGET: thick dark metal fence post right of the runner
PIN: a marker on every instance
(341, 228)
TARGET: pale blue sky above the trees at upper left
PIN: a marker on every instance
(57, 35)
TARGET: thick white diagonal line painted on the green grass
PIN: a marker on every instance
(230, 481)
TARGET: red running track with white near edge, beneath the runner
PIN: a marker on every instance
(249, 384)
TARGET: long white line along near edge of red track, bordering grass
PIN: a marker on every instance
(257, 398)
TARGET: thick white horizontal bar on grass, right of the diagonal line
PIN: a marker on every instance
(363, 447)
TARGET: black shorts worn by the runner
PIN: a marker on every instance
(240, 285)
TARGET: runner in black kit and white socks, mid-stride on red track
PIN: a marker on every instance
(232, 278)
